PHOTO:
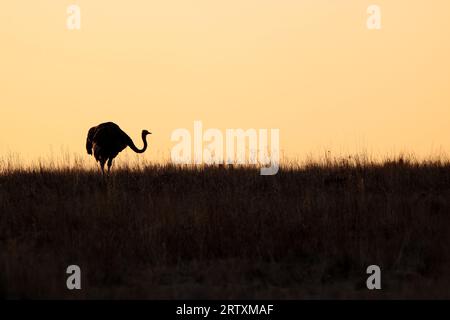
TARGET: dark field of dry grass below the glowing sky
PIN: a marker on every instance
(163, 231)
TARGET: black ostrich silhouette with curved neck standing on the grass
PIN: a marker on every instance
(106, 140)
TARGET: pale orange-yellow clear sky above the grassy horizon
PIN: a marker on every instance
(308, 67)
